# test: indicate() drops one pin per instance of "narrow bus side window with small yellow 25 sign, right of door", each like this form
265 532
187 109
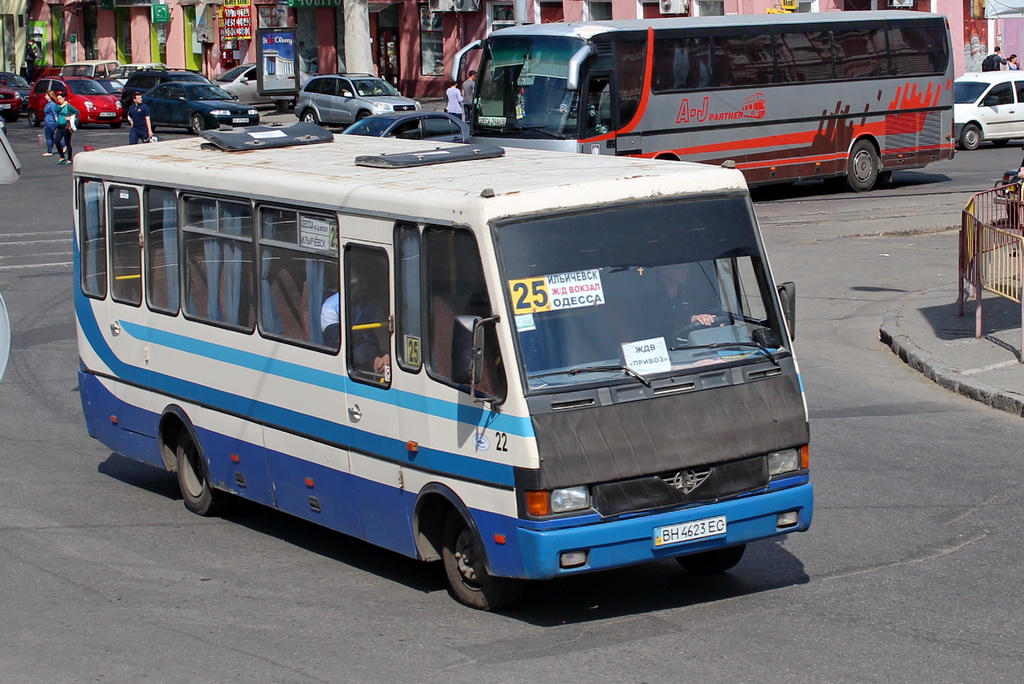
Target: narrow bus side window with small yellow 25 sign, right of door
409 338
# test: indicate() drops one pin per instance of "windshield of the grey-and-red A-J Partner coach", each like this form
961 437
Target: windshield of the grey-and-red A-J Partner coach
523 88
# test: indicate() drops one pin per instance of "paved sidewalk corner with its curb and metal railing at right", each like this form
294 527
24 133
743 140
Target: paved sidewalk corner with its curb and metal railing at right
967 336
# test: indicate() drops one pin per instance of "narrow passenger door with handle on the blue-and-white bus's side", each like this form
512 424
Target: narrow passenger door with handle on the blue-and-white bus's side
367 324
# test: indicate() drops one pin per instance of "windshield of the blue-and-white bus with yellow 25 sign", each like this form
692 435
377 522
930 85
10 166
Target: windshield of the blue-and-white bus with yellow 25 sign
660 289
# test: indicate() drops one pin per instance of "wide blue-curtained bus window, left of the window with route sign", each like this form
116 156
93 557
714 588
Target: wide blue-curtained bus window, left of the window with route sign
219 252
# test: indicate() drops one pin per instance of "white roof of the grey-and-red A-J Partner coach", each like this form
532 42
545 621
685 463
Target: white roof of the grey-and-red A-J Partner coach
590 29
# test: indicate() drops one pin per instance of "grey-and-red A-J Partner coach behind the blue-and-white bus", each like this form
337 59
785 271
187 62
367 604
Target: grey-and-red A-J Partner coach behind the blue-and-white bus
845 96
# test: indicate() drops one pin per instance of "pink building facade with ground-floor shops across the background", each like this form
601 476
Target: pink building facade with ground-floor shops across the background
412 41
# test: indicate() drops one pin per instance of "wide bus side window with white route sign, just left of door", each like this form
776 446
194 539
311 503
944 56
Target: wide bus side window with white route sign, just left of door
298 271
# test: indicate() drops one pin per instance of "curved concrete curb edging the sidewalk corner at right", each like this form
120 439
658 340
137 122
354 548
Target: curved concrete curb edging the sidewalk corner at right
897 338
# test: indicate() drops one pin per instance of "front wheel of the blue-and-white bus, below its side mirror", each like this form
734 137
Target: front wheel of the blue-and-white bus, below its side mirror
464 565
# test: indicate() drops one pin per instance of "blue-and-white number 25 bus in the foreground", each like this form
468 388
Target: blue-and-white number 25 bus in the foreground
525 365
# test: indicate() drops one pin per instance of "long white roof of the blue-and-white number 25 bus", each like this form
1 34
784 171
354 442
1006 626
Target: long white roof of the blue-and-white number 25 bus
523 182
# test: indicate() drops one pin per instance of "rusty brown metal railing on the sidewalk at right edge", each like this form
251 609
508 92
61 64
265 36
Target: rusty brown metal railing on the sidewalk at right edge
992 249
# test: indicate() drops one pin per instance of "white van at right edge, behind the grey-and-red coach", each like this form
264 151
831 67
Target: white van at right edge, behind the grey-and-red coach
989 106
